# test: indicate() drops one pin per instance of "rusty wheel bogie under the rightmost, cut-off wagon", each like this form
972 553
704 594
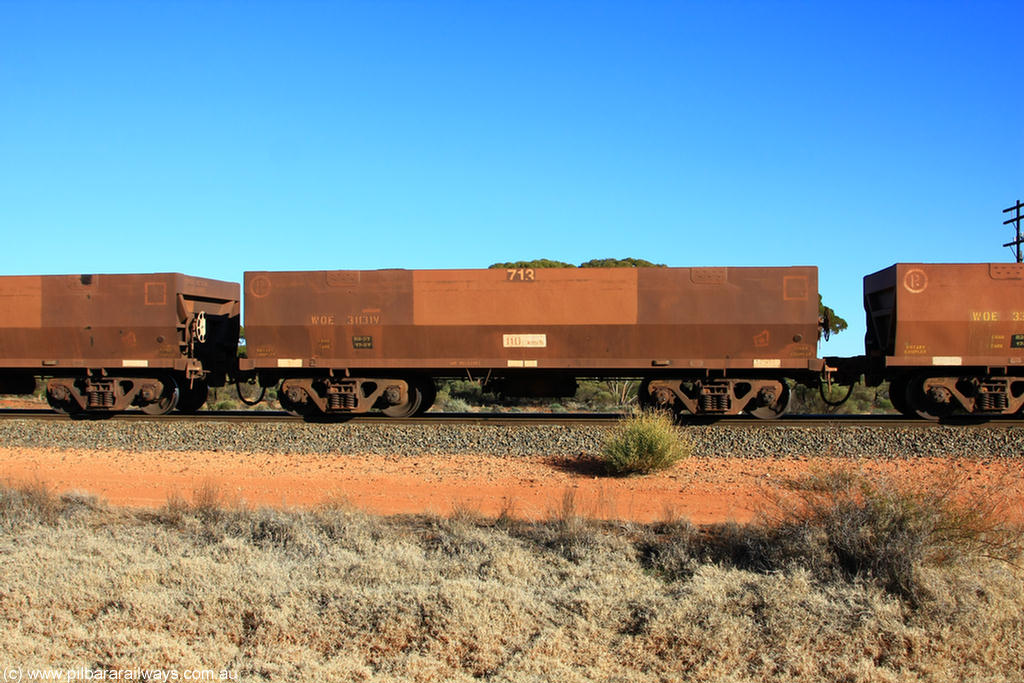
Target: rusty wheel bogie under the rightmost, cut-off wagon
938 397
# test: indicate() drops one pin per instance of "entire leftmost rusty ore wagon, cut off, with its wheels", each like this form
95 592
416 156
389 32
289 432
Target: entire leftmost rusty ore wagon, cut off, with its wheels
109 343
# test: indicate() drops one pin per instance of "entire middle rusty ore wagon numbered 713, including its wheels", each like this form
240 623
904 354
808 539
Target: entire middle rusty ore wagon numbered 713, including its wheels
709 341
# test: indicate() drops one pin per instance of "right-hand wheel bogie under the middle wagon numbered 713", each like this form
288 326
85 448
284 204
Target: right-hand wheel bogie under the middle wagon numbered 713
764 399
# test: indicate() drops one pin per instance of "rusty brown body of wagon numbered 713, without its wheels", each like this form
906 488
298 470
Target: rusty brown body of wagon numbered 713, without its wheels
659 320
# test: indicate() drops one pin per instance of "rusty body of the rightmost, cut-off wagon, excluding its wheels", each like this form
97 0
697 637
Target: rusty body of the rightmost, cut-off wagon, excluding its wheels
947 315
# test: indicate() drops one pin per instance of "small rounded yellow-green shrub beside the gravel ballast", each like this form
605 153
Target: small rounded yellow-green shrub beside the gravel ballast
645 443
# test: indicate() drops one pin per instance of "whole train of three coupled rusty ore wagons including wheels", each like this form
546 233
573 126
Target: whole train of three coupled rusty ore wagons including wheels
707 341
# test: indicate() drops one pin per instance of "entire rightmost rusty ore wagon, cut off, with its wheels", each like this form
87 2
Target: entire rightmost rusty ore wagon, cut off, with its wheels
948 336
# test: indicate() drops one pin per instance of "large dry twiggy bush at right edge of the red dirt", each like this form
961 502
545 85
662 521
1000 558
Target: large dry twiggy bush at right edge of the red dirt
888 531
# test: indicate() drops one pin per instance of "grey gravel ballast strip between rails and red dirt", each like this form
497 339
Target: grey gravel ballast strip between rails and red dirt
842 441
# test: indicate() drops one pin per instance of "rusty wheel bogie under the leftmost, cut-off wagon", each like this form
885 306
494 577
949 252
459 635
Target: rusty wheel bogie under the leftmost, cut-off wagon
103 394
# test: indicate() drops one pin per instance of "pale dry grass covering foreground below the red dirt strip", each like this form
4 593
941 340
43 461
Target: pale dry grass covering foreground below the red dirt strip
338 595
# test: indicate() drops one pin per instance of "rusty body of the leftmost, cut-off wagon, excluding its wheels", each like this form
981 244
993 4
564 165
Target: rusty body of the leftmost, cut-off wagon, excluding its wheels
56 323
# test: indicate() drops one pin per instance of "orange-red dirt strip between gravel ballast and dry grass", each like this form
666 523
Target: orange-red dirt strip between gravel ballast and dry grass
703 490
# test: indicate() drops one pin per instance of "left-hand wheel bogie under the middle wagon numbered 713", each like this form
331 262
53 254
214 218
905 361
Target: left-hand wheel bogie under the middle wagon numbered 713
330 396
